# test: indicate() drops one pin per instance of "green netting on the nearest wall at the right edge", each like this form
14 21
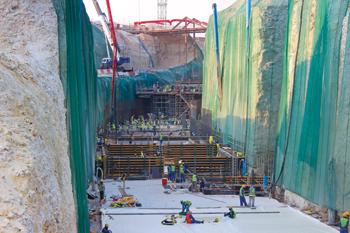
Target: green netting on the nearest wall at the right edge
316 163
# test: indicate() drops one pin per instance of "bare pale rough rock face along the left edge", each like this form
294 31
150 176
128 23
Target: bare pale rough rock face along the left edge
35 178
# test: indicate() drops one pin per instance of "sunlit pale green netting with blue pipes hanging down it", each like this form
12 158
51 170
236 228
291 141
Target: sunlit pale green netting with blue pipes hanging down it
262 90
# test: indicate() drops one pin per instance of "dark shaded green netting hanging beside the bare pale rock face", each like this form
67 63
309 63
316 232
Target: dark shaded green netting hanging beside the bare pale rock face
79 79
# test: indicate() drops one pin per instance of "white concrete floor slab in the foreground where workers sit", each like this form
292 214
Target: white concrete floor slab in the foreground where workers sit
154 201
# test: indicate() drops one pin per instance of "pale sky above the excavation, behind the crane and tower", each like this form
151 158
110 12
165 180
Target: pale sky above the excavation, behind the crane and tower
130 11
